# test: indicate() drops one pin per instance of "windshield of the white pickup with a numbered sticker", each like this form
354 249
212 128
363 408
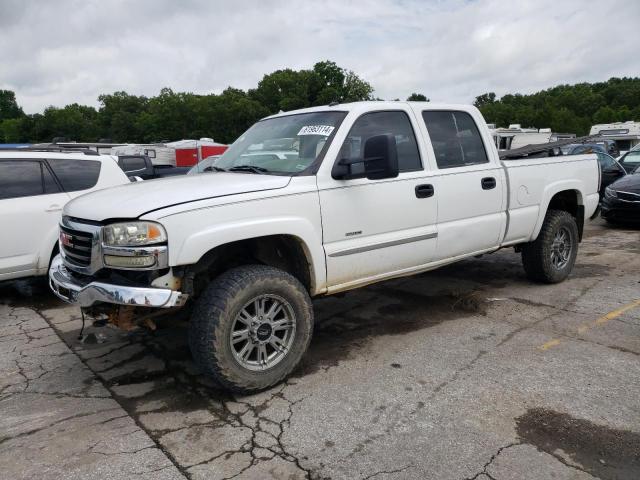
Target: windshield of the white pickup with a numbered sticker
282 145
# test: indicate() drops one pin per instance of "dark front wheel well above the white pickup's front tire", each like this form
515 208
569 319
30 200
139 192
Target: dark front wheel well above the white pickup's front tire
285 252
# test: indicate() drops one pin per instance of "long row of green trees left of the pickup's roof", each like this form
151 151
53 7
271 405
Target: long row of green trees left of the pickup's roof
176 115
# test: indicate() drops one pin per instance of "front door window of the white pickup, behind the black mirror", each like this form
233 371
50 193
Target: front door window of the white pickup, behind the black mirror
379 123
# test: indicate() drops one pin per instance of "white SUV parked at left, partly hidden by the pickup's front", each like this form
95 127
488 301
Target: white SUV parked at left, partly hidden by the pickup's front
34 187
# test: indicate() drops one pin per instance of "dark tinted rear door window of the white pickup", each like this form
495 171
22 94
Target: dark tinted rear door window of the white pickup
455 138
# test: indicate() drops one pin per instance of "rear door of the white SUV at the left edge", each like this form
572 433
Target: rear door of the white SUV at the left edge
30 205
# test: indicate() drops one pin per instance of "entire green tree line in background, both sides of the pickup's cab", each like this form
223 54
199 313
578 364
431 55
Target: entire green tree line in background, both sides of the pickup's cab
174 115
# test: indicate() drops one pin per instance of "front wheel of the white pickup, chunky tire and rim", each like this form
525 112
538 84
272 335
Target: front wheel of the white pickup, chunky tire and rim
250 327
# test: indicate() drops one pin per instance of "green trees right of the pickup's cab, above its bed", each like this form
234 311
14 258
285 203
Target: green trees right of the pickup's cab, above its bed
566 108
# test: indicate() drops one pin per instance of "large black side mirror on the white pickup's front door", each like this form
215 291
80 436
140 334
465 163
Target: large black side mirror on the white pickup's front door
380 160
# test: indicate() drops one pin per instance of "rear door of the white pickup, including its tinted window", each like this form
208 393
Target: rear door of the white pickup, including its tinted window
470 184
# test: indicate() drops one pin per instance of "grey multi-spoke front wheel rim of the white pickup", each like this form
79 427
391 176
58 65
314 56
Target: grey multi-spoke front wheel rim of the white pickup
263 332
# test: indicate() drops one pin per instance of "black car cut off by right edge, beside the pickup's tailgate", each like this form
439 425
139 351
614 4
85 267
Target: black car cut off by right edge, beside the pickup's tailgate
622 200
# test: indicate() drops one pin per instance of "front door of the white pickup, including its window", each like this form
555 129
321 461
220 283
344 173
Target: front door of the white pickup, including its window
373 228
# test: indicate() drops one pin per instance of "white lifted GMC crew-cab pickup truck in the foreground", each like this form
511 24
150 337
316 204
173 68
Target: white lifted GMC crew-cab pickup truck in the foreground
310 203
